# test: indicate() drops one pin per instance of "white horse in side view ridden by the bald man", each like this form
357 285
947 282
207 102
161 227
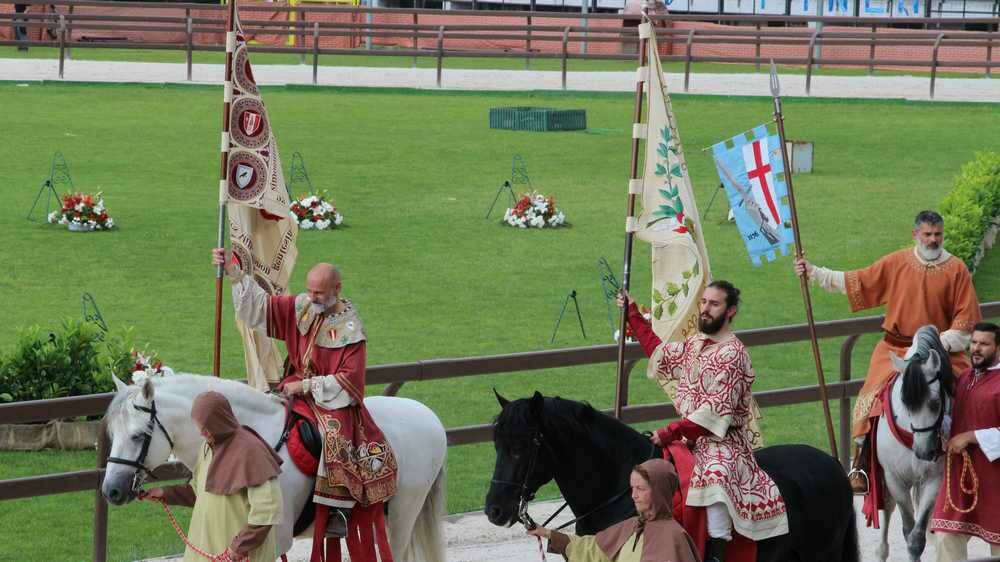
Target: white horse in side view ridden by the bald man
150 421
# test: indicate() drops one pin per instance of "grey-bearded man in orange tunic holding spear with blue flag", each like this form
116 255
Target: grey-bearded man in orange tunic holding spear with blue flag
918 286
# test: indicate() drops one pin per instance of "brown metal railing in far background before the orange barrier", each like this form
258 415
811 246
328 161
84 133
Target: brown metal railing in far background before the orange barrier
799 46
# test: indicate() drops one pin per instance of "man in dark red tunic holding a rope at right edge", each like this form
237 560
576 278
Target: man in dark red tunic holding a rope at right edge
975 430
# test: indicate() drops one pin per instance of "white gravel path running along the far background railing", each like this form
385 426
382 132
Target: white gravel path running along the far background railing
879 87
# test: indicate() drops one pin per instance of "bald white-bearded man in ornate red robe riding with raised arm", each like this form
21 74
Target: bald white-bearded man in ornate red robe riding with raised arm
326 357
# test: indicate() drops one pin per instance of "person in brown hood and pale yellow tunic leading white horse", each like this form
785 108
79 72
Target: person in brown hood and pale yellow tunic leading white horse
234 487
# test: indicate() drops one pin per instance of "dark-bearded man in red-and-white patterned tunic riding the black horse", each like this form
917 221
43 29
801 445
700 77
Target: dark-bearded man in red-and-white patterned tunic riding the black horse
713 376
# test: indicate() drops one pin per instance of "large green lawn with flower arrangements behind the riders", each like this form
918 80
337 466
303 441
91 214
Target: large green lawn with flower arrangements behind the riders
413 172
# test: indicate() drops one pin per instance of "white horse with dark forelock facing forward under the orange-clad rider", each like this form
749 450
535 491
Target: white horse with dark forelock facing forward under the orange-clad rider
921 403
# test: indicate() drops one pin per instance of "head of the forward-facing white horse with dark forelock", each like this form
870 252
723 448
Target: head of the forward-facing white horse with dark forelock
928 385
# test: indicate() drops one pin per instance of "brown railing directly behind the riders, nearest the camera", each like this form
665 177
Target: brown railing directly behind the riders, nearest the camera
395 375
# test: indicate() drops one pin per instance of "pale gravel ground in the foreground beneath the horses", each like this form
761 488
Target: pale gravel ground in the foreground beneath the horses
471 538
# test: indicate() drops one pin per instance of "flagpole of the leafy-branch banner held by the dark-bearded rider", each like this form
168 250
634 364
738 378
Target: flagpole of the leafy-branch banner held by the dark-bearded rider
621 389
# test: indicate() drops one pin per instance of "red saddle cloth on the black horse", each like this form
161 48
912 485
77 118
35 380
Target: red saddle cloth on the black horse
693 518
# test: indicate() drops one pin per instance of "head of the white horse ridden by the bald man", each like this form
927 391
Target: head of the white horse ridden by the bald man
139 441
